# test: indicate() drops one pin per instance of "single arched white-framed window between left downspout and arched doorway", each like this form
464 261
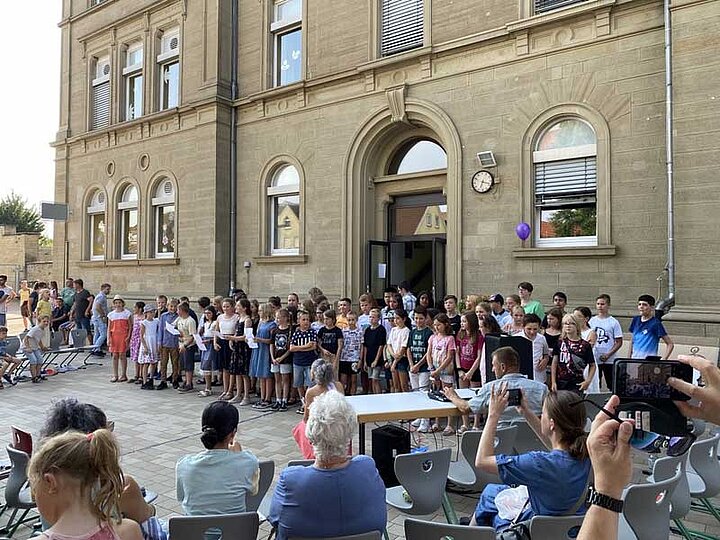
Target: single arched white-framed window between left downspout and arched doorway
284 210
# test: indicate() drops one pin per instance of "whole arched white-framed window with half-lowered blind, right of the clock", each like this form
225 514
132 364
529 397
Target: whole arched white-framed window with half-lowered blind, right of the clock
565 184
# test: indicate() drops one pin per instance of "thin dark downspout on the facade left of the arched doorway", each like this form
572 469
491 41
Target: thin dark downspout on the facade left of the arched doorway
233 148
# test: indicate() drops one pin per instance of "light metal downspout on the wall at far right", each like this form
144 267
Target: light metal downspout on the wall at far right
668 302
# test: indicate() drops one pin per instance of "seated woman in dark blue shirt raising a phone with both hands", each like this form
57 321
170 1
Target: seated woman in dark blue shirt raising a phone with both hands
556 480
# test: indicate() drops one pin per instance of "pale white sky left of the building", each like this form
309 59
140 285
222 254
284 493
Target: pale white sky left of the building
30 98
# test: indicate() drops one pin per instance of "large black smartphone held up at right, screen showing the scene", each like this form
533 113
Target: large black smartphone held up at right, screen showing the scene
647 379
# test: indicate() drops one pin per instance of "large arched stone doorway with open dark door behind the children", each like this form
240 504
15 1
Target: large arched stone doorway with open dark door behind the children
377 188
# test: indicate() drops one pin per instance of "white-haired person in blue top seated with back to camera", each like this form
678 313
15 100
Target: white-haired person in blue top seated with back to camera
337 495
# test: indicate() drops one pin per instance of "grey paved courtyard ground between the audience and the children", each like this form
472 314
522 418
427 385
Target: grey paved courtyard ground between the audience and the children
155 428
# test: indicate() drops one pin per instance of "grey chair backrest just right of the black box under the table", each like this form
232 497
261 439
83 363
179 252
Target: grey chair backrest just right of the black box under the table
424 475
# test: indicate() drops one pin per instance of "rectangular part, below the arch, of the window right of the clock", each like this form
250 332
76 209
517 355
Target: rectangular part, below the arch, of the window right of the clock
566 202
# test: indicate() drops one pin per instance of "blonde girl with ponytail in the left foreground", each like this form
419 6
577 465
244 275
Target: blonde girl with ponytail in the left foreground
76 483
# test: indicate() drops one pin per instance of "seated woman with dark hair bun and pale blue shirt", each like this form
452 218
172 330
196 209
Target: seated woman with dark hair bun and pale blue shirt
216 480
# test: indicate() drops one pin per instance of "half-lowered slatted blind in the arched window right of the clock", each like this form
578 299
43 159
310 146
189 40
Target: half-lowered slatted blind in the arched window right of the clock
566 181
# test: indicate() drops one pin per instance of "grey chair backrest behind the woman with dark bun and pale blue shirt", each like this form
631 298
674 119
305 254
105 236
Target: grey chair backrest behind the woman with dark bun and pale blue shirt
232 526
